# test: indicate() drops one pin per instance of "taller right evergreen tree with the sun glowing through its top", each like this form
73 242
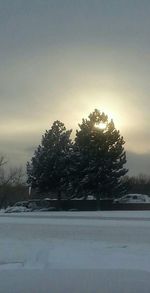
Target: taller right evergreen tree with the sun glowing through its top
102 156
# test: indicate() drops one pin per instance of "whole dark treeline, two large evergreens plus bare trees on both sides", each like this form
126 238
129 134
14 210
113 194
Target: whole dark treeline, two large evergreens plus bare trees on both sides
94 163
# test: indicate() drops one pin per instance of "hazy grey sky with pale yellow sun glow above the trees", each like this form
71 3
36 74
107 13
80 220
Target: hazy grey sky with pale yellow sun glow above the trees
61 59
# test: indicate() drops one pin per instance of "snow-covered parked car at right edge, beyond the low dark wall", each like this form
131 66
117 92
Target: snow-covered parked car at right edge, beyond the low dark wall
133 198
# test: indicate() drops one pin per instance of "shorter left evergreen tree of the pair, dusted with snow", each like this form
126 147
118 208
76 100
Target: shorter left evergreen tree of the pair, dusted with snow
47 170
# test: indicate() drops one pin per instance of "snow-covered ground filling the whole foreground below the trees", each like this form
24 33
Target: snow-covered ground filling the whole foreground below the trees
60 252
